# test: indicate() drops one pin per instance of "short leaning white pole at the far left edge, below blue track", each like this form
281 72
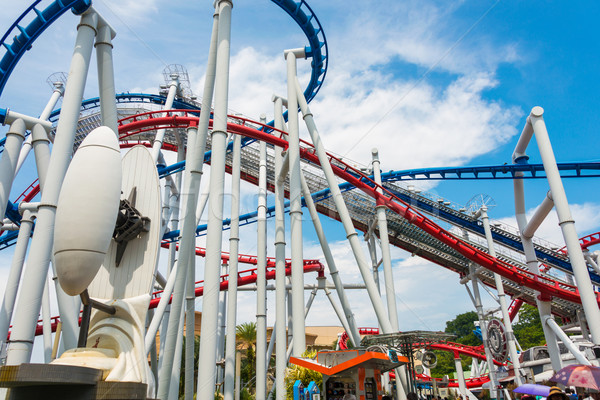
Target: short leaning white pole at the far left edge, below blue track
8 162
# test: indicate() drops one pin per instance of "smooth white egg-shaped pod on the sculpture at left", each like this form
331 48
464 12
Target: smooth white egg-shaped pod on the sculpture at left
89 196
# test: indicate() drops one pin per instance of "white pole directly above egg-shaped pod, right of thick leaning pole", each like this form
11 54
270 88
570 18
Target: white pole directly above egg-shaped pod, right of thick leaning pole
106 76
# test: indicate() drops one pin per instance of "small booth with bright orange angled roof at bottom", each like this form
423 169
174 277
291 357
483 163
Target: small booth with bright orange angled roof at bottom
354 372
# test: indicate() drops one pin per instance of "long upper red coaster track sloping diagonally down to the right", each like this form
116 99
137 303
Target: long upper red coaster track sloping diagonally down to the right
547 286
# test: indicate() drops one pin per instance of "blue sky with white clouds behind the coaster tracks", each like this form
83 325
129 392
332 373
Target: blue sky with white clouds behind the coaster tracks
428 83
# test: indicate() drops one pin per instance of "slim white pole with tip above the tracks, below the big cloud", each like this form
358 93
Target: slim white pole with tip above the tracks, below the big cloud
390 292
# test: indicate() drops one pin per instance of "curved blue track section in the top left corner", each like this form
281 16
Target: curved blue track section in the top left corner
24 37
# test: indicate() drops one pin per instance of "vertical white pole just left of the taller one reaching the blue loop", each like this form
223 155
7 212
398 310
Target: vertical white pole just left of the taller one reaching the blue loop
281 292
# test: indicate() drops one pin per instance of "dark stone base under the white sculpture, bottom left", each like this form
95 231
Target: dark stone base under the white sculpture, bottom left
49 381
